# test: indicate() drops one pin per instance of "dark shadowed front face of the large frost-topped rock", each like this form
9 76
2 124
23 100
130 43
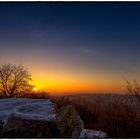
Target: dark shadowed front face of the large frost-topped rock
38 129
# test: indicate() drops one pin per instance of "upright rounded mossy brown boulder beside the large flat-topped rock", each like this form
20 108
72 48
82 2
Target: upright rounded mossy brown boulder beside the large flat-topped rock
69 123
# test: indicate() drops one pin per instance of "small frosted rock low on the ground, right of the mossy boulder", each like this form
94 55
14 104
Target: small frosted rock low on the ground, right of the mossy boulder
87 133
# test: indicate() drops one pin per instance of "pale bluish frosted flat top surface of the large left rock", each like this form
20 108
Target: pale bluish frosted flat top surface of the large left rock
27 108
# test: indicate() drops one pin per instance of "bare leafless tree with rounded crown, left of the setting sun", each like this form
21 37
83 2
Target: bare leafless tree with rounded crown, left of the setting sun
14 80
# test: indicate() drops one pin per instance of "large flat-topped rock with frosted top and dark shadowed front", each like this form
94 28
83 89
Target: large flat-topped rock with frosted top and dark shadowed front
32 120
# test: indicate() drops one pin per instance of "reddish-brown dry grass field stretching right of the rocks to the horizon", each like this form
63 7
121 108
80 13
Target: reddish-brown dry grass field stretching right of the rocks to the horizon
118 115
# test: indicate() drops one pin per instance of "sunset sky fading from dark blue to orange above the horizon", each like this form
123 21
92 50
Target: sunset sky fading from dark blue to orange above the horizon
73 47
